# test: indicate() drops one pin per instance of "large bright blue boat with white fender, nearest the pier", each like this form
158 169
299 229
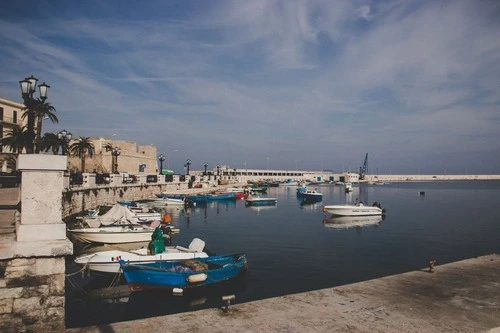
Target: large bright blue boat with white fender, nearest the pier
184 273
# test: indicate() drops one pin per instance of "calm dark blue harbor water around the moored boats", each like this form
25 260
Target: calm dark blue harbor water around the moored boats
293 248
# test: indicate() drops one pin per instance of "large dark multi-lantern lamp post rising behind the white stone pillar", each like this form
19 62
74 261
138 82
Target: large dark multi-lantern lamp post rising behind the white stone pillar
28 87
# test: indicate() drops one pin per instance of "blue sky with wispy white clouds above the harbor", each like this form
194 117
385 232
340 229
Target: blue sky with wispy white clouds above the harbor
290 85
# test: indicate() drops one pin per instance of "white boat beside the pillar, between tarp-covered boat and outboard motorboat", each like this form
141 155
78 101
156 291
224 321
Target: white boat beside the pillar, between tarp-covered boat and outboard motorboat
113 234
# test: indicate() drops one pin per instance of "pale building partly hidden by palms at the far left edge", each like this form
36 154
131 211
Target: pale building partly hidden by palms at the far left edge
10 117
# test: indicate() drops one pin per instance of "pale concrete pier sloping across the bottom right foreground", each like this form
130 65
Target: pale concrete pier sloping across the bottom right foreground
458 297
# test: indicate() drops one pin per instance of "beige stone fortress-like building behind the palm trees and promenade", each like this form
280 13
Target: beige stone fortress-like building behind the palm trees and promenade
133 158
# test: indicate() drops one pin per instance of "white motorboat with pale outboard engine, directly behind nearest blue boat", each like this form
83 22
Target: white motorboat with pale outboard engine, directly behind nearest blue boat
107 261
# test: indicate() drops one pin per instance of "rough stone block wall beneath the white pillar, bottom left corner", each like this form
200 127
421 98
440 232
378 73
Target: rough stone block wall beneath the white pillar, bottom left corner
32 295
